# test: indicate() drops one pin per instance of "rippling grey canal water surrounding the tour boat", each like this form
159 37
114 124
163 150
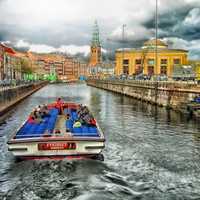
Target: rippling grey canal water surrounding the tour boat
150 153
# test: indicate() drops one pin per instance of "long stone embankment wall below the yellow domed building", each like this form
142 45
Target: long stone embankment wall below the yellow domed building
169 94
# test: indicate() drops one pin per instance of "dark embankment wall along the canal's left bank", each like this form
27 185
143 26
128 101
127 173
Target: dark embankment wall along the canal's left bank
9 97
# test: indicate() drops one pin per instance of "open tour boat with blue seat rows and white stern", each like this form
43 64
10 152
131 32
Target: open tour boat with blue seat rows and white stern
56 137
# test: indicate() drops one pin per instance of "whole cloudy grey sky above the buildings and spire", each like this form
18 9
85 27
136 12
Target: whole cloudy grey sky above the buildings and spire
66 25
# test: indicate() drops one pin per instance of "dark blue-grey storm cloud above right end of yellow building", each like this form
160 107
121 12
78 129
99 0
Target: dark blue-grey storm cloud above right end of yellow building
175 26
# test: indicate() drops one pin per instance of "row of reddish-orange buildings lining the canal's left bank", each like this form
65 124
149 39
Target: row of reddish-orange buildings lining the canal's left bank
16 65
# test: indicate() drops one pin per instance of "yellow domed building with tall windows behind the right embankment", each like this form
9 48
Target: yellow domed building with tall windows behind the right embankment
143 60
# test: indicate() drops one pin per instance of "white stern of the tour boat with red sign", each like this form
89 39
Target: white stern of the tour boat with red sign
32 148
